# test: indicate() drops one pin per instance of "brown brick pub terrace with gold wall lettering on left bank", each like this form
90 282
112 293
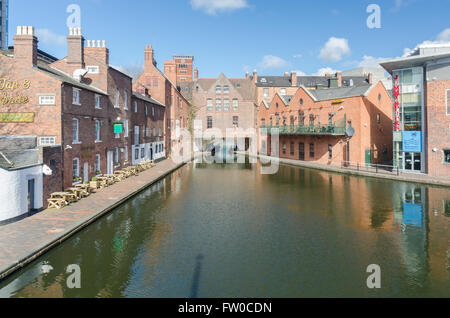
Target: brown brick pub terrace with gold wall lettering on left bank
80 109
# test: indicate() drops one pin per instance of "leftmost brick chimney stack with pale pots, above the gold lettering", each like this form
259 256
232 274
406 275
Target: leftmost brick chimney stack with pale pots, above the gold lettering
25 46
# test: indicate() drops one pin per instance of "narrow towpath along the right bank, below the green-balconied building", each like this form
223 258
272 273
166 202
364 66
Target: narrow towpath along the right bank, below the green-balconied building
406 177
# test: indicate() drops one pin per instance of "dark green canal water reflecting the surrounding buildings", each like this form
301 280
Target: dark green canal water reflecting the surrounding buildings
226 230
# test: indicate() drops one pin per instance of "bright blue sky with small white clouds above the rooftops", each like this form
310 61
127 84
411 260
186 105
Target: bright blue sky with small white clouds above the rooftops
235 36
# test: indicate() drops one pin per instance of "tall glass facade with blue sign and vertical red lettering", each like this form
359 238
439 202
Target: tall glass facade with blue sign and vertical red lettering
409 154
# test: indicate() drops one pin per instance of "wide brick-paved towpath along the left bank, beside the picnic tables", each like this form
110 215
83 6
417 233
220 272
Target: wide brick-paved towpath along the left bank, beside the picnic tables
24 241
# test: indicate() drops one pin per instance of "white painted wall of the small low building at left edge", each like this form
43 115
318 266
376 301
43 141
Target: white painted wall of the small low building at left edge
14 191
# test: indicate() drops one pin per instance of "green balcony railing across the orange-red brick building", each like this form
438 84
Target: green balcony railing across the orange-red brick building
330 130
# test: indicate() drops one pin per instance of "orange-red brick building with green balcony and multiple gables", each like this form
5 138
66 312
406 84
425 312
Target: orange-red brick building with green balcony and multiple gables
330 126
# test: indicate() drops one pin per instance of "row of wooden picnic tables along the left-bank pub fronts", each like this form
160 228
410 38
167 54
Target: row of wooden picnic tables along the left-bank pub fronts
59 200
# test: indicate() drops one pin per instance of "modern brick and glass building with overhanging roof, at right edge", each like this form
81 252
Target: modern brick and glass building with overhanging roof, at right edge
421 110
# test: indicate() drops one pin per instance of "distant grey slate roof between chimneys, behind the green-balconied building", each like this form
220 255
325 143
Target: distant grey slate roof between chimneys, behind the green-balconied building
307 81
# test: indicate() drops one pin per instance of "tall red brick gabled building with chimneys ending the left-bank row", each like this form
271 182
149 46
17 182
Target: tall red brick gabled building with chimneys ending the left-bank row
163 88
